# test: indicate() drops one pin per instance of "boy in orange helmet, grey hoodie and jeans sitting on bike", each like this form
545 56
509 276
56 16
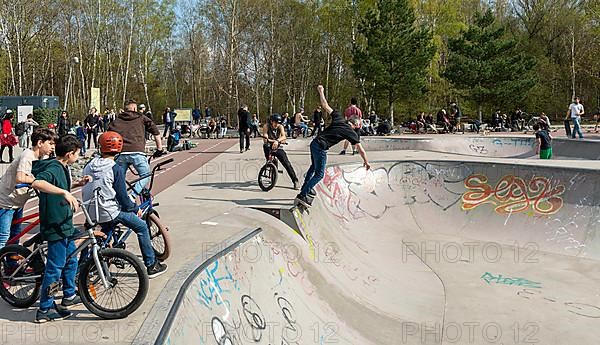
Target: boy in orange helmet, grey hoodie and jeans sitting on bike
114 205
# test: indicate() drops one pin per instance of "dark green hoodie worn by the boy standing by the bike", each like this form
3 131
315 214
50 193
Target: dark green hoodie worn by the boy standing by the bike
56 216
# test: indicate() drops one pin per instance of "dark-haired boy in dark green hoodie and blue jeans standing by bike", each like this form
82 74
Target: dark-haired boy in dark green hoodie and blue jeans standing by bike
53 181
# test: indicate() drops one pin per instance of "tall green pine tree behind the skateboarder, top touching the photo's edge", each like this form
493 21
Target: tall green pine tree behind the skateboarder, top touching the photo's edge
391 54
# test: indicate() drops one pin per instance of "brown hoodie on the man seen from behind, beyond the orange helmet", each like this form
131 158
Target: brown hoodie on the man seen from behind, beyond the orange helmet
133 127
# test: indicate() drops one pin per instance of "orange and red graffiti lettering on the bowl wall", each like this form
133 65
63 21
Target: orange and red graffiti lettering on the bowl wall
513 195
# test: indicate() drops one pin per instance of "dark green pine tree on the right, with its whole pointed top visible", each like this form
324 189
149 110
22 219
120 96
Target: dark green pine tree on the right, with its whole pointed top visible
488 66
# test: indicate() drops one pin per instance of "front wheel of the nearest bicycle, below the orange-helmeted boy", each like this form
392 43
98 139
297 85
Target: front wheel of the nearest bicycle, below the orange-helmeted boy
128 284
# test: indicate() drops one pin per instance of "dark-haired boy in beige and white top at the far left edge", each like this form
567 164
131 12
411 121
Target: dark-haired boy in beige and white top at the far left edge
12 200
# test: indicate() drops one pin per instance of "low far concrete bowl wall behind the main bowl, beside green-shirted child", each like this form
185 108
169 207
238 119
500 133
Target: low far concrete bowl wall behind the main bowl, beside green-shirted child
488 146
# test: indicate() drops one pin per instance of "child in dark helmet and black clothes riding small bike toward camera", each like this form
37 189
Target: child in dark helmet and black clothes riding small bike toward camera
273 137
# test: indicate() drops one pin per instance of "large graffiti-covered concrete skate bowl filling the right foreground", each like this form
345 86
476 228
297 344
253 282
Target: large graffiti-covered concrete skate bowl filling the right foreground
410 252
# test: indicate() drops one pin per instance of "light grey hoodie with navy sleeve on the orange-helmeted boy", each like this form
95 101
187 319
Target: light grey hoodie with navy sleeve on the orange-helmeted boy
110 178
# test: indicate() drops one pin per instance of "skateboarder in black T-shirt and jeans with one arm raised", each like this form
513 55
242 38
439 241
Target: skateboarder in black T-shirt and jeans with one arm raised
338 130
